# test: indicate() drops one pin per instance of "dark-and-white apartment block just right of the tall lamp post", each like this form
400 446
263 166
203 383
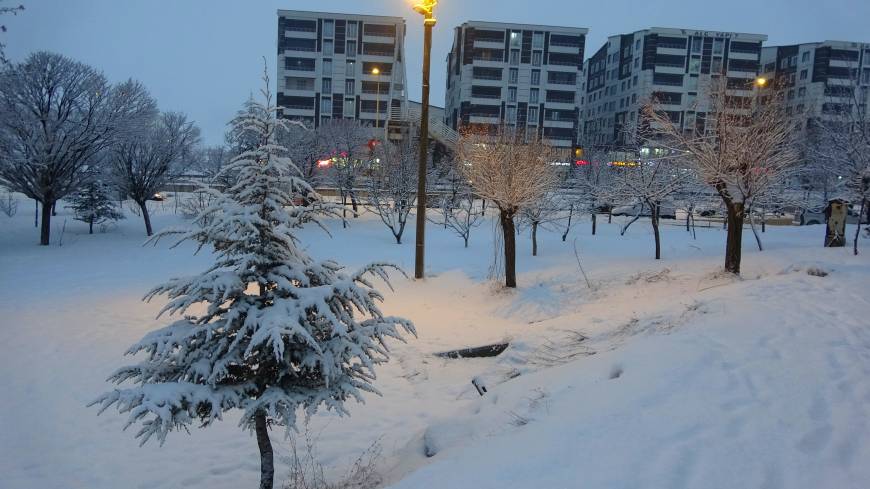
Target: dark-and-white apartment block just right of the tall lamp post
523 75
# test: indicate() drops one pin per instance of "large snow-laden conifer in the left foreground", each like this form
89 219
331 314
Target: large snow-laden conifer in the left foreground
279 332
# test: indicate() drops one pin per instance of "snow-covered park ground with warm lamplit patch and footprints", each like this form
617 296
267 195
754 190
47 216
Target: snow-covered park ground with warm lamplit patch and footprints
663 375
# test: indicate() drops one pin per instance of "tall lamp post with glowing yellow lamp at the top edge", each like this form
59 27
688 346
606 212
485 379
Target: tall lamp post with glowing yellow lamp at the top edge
425 8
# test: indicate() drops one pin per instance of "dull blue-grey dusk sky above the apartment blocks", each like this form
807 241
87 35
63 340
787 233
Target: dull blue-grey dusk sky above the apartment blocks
204 57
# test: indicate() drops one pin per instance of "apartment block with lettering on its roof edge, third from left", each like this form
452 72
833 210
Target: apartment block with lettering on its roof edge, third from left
669 65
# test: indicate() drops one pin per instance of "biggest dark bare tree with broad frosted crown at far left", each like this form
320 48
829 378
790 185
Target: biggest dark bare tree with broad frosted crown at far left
56 114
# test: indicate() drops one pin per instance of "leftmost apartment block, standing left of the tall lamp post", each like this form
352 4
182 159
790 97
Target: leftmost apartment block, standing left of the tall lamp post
341 65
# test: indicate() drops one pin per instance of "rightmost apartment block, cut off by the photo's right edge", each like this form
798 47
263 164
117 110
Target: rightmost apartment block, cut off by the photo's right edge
822 80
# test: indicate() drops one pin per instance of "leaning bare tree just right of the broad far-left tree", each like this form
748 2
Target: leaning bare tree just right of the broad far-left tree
142 162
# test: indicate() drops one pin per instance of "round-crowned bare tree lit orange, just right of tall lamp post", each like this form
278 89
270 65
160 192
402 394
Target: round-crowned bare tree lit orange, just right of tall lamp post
510 172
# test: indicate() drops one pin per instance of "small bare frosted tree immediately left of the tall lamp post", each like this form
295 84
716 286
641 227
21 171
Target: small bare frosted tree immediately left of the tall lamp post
392 184
